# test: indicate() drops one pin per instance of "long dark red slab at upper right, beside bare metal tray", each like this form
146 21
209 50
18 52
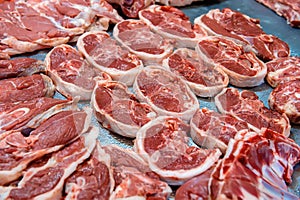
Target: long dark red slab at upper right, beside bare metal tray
245 30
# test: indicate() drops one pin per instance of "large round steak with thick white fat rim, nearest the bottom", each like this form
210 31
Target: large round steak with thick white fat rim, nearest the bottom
163 144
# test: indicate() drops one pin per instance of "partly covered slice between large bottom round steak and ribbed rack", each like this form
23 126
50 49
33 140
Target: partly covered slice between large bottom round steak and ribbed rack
213 130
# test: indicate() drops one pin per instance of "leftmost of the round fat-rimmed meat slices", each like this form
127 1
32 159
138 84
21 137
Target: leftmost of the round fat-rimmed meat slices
71 73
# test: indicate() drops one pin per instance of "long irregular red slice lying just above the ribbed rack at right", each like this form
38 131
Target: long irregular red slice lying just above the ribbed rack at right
246 106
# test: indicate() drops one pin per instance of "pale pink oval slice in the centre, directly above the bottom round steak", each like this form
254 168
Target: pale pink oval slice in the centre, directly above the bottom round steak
165 92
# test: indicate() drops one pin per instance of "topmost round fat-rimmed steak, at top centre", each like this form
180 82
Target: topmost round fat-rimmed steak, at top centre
172 23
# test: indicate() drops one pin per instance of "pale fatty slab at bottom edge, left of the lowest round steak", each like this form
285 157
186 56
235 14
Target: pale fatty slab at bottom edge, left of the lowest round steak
134 179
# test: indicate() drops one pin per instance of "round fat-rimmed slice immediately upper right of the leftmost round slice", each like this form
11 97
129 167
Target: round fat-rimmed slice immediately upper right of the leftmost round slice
104 53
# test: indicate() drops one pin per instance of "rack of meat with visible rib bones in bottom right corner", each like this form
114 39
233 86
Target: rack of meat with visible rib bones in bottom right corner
248 172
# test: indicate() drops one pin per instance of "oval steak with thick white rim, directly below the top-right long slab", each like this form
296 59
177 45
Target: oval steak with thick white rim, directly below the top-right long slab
243 68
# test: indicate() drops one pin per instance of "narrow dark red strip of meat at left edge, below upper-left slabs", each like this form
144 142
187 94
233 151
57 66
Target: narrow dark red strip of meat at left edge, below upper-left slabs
20 67
